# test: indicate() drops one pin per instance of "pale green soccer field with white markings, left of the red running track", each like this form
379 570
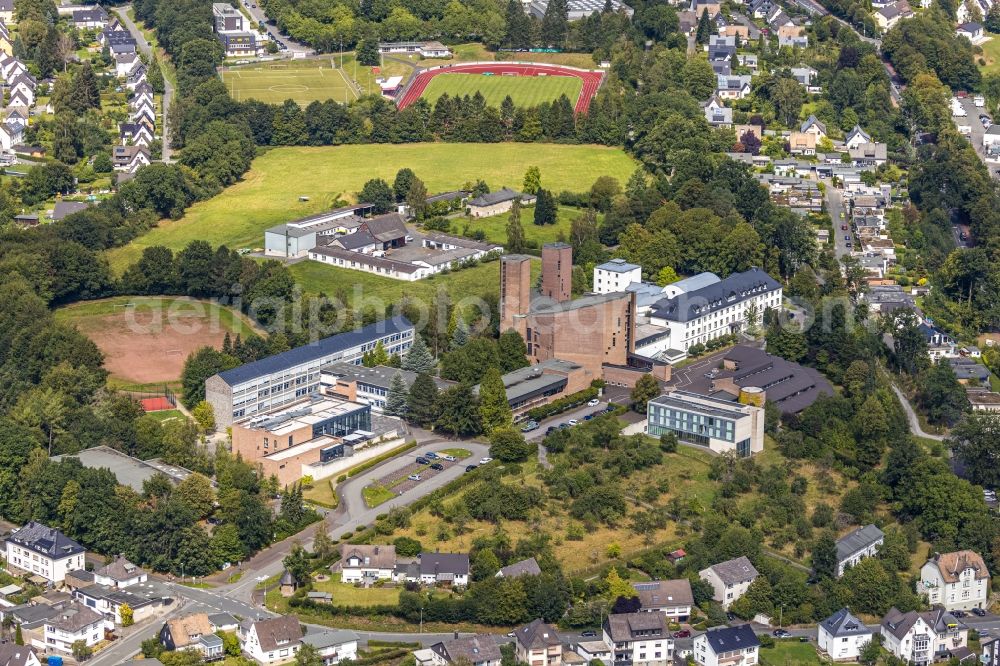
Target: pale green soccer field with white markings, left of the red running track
303 81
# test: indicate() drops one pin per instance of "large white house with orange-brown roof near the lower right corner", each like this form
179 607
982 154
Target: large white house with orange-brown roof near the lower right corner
955 581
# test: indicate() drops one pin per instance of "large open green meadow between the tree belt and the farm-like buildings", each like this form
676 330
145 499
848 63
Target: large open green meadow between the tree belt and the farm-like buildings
269 193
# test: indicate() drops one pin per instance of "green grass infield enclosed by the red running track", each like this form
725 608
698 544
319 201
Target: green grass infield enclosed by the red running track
524 90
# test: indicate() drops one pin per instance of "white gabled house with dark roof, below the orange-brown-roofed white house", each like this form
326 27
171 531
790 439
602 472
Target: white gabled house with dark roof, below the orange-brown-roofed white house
922 638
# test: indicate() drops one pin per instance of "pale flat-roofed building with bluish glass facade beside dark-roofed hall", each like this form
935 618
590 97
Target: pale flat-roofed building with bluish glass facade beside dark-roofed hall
715 423
